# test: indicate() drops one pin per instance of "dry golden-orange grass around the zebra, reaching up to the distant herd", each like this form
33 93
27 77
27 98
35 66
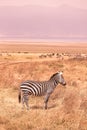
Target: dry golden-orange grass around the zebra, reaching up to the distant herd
67 107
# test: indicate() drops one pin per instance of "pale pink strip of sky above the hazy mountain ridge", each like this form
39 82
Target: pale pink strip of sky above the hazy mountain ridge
76 3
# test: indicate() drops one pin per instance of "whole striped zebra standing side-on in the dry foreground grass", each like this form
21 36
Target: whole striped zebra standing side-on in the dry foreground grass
40 88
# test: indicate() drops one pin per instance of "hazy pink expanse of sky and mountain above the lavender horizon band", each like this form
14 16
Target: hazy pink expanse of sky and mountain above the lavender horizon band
43 18
